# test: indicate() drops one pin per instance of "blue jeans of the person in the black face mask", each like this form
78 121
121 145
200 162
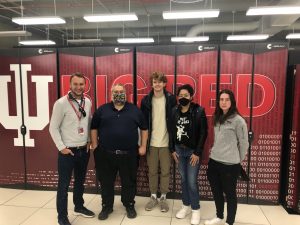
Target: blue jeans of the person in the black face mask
189 176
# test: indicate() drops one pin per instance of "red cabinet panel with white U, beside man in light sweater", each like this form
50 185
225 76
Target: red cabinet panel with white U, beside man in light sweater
39 84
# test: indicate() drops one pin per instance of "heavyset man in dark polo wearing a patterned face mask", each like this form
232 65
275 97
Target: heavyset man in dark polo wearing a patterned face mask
114 140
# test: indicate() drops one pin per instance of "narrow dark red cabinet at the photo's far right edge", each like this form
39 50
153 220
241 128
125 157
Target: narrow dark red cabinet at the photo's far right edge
291 187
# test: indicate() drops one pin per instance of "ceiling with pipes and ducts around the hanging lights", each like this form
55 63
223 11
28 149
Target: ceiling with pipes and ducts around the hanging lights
160 29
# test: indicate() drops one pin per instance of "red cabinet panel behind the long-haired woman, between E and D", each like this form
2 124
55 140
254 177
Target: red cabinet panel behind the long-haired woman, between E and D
235 74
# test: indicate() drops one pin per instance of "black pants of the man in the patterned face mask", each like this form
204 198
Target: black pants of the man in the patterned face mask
107 167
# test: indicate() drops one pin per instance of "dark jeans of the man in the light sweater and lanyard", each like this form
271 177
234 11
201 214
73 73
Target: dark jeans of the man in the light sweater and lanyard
66 164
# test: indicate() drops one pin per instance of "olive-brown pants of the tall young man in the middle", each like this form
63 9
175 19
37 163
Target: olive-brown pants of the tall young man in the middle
159 157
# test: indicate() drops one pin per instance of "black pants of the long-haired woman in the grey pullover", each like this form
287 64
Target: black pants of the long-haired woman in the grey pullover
223 179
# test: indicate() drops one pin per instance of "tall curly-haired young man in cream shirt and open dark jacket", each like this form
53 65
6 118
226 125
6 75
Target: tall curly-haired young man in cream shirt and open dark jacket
156 107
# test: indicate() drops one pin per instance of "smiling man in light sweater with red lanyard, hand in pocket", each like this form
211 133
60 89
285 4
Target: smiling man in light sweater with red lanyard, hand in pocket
69 129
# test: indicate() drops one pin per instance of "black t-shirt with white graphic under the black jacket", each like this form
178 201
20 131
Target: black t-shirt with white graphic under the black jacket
183 129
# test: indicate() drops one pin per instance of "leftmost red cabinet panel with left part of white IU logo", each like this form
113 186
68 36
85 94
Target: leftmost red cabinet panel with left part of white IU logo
12 161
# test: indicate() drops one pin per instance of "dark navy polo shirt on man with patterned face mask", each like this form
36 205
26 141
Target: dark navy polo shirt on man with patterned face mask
118 130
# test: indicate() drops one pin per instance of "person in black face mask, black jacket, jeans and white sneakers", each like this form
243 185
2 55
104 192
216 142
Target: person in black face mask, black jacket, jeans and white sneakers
188 136
